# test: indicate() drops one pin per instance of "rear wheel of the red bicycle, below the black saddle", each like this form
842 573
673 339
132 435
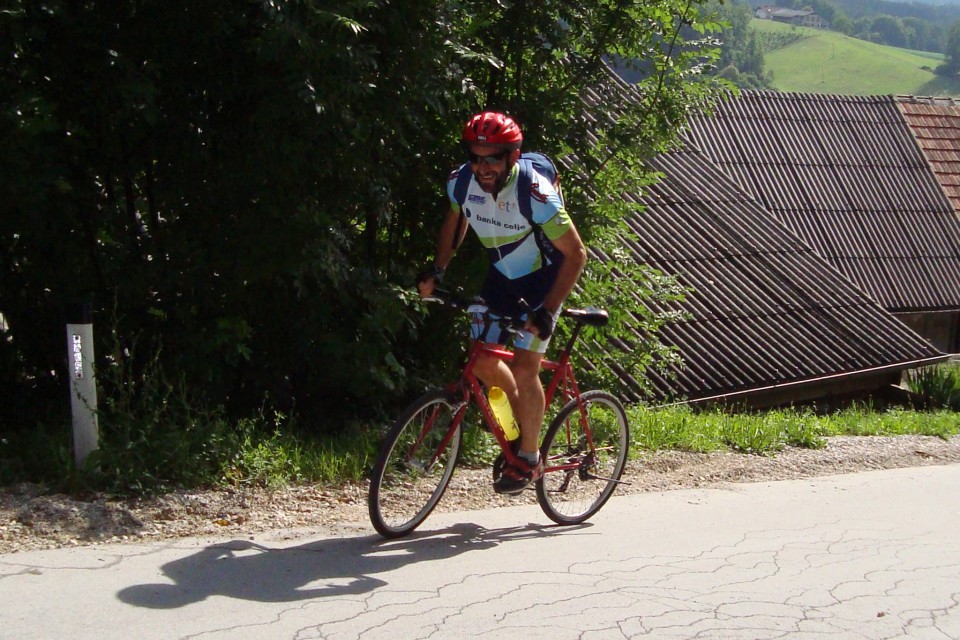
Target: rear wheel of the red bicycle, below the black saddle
584 454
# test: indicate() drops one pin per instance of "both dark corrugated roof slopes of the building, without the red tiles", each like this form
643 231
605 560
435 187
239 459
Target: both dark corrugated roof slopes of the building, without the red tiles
799 223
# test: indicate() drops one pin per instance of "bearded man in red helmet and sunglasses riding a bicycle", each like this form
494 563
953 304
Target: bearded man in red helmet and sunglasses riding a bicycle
538 262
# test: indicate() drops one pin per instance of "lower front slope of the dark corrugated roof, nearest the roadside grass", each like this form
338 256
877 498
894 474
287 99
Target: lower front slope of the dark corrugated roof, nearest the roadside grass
765 308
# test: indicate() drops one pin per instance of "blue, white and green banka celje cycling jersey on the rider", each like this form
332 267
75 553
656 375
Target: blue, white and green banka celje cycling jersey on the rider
507 235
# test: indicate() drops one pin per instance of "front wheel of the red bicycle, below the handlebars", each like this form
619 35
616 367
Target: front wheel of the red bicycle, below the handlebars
415 464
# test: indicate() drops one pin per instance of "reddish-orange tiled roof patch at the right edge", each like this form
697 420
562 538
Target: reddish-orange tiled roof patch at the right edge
935 123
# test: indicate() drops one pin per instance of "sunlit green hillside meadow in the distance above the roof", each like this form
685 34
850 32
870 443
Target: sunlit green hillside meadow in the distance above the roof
827 62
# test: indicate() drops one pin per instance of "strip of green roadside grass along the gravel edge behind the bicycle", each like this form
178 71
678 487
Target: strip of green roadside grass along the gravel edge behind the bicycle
202 449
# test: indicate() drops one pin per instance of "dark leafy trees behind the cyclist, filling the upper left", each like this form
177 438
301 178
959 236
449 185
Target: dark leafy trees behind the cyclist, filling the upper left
252 185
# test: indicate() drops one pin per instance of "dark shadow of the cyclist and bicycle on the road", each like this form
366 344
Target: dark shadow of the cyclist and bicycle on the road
247 570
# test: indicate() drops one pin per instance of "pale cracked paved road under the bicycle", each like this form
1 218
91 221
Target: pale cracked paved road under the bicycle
870 555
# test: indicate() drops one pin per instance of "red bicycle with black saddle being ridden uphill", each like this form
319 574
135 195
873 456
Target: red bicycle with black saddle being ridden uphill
584 448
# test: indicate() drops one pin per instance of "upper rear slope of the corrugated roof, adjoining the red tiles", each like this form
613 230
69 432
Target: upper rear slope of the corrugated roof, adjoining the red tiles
846 175
